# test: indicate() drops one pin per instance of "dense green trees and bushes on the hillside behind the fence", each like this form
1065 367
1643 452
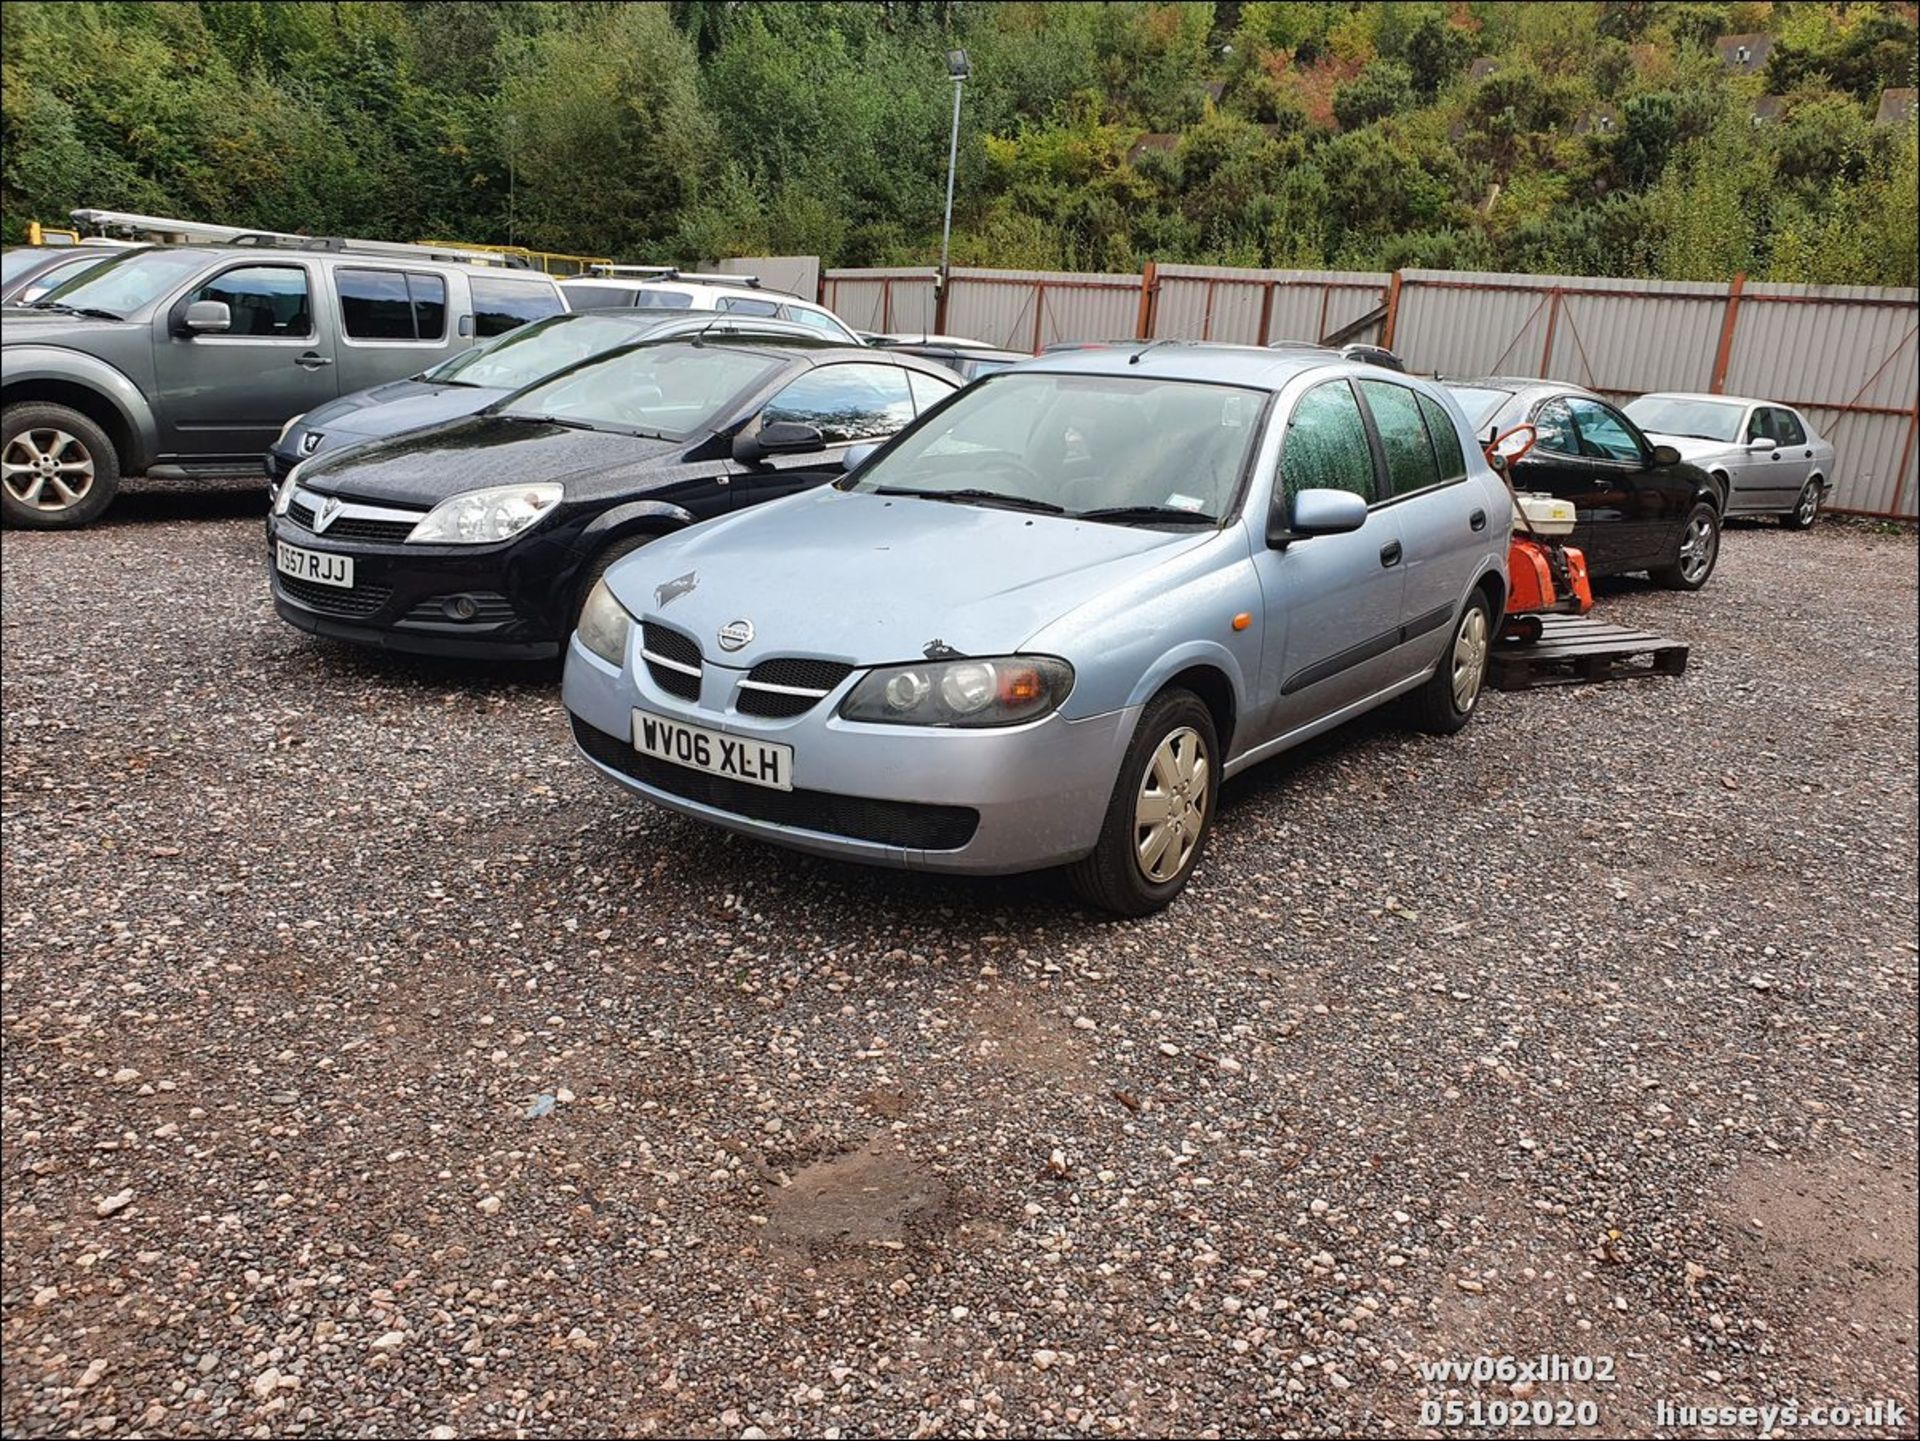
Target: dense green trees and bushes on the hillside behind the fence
1606 139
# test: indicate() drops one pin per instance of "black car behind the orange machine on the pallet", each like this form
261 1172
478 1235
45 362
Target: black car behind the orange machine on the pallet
1637 506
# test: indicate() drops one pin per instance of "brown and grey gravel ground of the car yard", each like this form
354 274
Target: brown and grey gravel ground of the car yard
375 1070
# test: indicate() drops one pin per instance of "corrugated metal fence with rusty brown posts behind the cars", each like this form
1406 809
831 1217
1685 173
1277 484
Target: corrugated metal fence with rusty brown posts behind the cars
1842 354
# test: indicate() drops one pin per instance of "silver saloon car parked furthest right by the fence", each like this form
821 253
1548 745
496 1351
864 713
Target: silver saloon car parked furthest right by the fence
1767 460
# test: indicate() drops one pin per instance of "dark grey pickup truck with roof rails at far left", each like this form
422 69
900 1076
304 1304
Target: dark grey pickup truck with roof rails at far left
191 360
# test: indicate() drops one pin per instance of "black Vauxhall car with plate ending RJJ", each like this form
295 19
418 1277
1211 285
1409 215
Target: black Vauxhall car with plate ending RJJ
483 536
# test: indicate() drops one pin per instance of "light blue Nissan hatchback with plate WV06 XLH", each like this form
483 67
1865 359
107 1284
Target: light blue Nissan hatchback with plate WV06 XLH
1047 621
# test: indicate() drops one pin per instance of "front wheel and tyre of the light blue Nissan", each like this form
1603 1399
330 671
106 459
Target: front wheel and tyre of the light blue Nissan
1161 815
